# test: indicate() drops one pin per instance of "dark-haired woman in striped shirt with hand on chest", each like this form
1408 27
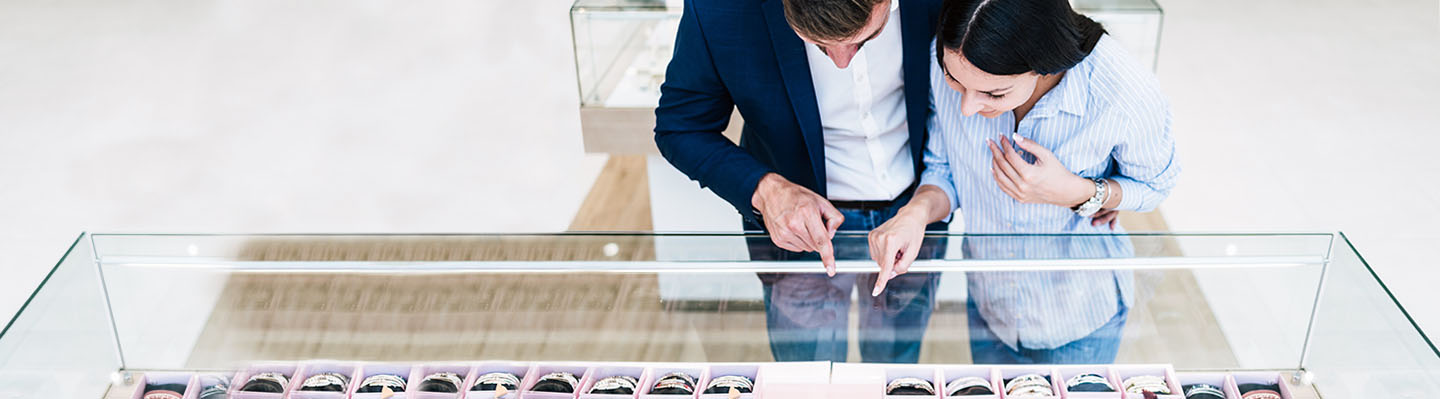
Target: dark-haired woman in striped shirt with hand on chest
1042 125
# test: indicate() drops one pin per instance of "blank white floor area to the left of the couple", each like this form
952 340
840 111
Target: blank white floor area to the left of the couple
244 116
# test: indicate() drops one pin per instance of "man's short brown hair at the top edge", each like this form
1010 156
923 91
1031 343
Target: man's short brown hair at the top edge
829 19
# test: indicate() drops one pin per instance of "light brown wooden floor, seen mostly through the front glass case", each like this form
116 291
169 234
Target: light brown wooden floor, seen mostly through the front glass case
562 318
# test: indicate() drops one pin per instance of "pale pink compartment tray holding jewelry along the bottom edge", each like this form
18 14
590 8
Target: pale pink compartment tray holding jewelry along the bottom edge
774 381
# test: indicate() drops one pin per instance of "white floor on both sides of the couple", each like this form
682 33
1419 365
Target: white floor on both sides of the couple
230 116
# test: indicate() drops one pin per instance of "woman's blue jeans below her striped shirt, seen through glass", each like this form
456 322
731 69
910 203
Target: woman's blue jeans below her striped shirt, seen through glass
1098 348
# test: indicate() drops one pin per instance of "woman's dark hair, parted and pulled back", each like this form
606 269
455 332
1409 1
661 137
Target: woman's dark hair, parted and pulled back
1016 37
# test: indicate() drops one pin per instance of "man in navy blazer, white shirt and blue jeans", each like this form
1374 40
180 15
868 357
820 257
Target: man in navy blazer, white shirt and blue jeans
836 99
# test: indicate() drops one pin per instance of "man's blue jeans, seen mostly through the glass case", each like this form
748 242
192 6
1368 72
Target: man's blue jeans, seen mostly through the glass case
807 315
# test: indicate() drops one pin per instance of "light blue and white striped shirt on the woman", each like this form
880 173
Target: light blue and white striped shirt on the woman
1105 119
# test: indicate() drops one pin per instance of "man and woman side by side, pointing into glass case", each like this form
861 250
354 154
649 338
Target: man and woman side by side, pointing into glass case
888 116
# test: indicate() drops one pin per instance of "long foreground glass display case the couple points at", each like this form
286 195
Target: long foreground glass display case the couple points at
122 313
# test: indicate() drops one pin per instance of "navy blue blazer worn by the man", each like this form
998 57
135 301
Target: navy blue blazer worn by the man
744 54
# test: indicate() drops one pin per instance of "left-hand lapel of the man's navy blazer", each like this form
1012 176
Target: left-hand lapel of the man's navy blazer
790 54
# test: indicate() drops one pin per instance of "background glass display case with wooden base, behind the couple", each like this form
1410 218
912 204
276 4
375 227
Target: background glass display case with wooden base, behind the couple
623 48
